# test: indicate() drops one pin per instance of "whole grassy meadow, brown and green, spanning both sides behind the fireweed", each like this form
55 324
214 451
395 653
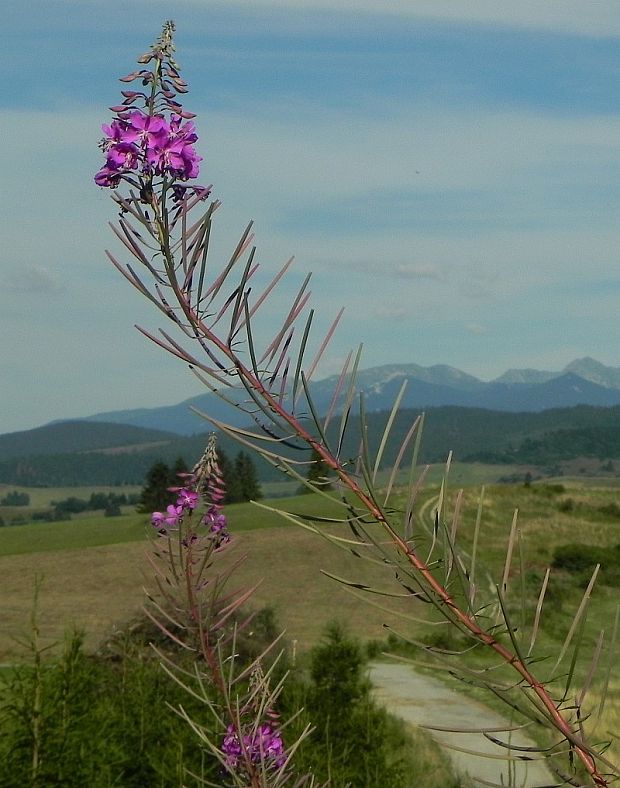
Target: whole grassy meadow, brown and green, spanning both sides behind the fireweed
94 569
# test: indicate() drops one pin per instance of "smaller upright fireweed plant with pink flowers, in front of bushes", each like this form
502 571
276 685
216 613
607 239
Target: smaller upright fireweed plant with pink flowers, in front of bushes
194 609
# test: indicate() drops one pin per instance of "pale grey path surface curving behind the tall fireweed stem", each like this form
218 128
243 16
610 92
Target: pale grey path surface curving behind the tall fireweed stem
422 700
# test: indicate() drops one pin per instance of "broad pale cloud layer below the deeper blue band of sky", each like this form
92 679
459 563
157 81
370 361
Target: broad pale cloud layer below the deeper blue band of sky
431 275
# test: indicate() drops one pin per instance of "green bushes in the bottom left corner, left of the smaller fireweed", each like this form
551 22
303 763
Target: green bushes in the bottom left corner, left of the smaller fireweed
94 721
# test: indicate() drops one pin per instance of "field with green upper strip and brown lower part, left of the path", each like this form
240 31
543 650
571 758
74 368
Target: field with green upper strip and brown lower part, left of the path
94 573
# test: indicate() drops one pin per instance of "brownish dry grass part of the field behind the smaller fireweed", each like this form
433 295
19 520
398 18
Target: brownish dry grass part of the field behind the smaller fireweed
97 588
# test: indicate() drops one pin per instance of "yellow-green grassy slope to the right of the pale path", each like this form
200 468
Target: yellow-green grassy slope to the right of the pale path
550 514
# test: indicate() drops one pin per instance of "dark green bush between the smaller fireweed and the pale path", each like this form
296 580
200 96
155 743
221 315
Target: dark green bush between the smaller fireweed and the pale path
355 742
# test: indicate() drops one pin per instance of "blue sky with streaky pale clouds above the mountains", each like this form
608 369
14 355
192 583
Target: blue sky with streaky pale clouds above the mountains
448 169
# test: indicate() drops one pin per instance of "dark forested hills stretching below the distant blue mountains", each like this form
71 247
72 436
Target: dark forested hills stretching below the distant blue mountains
82 453
